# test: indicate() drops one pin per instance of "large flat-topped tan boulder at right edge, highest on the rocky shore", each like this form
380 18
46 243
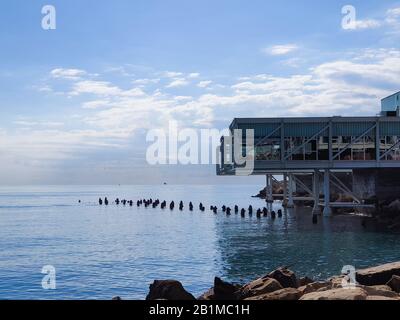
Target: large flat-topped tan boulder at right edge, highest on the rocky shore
378 275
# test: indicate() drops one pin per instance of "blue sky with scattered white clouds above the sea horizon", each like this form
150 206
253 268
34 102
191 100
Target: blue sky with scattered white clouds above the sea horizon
77 102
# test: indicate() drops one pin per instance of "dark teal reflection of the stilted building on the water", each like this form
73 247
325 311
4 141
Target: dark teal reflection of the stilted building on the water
254 247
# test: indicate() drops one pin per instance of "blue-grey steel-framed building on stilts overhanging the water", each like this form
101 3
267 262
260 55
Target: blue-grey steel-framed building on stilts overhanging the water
325 150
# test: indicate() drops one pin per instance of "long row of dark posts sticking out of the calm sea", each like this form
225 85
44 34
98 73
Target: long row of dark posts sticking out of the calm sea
227 210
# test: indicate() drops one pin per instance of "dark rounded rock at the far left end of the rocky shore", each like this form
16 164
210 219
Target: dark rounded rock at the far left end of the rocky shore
169 290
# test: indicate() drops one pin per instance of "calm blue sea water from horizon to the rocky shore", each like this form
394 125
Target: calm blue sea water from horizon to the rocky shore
100 252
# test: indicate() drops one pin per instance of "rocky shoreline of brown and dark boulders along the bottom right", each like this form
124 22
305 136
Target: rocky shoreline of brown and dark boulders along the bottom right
376 283
